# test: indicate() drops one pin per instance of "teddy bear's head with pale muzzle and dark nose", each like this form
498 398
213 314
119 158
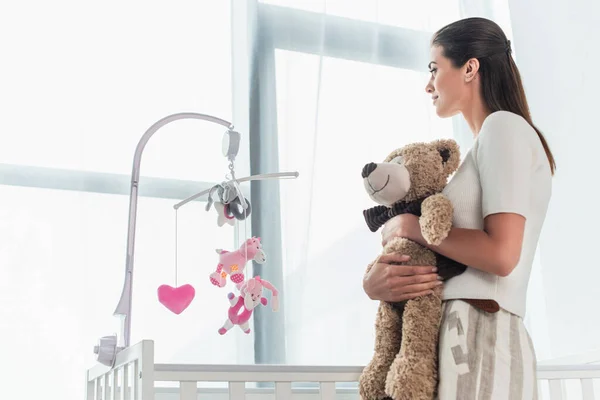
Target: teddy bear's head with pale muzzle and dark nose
412 172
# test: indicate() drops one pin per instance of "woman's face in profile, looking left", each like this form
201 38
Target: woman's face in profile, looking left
448 85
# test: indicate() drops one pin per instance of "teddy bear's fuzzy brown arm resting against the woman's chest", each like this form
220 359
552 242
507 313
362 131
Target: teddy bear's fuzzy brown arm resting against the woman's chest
436 218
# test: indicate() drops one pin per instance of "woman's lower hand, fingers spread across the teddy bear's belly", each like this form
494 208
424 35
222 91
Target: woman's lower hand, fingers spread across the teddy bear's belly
393 283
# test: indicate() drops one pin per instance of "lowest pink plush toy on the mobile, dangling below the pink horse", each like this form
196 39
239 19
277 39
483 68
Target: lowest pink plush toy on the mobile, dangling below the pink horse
251 295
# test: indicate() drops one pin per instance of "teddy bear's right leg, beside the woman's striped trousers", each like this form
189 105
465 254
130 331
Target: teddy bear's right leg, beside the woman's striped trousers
414 373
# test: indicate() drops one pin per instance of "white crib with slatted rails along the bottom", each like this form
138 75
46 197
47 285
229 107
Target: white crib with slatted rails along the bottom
135 376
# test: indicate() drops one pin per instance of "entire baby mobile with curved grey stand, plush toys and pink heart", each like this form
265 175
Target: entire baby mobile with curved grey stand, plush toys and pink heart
231 207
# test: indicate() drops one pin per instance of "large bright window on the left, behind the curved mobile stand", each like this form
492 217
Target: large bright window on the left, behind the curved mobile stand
80 85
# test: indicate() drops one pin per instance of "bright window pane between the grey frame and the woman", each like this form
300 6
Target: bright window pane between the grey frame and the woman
334 117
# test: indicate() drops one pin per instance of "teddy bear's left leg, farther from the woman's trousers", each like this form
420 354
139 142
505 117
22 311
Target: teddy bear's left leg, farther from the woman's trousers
388 331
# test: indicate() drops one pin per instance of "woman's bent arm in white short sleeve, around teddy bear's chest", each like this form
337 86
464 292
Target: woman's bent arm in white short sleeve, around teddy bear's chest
504 159
